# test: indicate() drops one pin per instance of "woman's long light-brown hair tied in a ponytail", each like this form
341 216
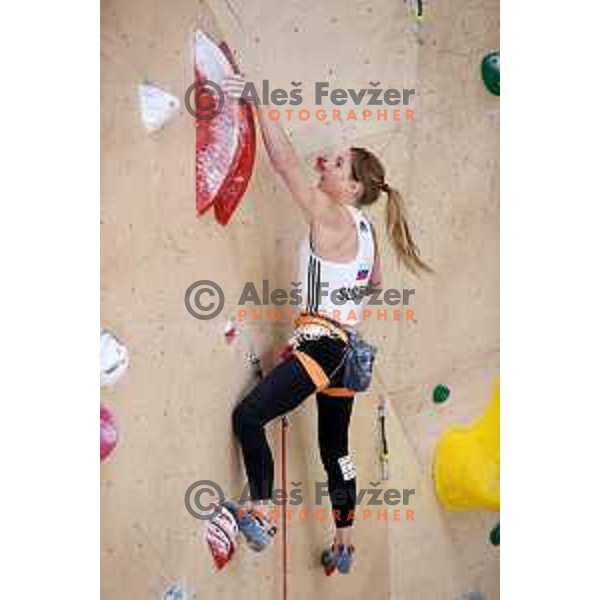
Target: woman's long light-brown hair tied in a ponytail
368 170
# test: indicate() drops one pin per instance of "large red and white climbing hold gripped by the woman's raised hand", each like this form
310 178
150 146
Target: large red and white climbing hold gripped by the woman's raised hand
225 134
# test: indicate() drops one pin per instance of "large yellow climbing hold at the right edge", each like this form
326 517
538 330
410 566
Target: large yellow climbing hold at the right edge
466 466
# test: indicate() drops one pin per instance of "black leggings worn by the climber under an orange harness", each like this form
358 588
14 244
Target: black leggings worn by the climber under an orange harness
279 392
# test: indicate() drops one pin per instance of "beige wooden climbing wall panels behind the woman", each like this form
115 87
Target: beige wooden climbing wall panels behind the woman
174 404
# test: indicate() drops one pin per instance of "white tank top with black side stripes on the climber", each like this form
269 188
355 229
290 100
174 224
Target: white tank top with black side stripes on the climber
343 285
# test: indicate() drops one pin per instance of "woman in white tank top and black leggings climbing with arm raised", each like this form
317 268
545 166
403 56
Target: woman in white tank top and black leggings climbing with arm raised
338 260
